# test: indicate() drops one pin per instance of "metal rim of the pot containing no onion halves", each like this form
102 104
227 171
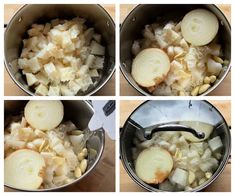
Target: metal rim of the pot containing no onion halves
28 92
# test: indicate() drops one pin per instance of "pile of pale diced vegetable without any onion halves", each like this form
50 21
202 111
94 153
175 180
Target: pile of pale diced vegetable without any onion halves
62 57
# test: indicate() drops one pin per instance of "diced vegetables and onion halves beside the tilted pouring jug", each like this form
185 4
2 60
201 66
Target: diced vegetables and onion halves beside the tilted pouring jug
40 151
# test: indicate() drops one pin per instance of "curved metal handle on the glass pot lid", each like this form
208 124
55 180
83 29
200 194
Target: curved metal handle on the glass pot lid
148 132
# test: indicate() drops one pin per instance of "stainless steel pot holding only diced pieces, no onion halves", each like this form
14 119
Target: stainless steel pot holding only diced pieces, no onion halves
96 16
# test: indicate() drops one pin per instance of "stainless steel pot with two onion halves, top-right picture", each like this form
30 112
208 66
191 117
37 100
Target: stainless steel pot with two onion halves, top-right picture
144 14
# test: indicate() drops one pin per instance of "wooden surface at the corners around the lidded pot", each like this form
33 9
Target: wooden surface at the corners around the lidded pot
221 184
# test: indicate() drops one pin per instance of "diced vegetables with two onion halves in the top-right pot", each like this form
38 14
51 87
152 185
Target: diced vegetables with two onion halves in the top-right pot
179 58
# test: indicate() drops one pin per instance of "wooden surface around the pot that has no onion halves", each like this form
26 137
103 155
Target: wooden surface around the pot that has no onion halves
11 89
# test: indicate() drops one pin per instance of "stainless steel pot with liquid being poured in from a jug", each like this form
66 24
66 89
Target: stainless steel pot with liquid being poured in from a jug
79 112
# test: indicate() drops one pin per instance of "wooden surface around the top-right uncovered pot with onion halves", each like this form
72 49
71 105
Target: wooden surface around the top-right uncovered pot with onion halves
224 89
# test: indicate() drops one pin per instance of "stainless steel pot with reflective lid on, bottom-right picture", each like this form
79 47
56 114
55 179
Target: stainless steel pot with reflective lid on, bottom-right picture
156 112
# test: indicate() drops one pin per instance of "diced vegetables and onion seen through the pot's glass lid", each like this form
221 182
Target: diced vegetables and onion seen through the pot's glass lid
177 161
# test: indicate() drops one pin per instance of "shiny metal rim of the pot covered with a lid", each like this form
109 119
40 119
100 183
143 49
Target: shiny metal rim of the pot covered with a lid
149 187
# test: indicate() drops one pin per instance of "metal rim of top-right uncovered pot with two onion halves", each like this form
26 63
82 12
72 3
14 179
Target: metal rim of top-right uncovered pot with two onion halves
139 89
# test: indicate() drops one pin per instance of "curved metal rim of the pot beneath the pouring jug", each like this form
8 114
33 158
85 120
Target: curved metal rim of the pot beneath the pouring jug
79 179
